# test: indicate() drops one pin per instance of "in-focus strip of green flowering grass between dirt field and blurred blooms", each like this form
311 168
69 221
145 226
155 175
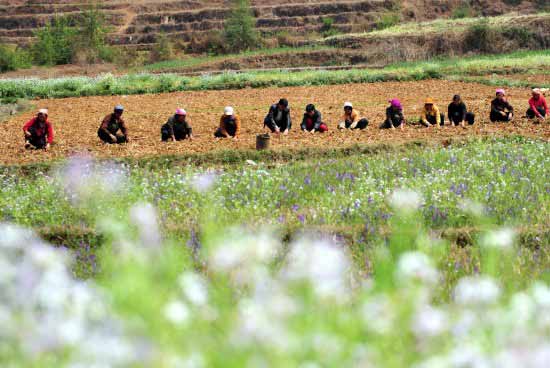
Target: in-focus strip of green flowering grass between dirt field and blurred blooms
347 190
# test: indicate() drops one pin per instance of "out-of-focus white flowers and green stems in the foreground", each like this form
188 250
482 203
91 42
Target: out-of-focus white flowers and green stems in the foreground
242 298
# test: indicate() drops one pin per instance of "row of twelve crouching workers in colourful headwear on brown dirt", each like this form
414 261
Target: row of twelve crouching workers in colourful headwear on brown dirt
113 129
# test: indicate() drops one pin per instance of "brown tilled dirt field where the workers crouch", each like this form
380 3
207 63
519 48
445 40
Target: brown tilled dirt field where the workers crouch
76 119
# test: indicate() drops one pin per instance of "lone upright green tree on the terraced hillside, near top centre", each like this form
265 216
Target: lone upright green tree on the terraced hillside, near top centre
240 29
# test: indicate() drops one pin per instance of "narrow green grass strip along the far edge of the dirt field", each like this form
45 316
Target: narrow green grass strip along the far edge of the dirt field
517 62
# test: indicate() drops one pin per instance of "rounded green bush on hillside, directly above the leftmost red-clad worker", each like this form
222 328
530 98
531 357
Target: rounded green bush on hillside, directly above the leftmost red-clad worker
55 42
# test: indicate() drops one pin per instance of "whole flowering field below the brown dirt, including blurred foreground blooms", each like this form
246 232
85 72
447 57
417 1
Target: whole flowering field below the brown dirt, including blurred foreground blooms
435 257
